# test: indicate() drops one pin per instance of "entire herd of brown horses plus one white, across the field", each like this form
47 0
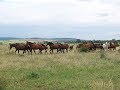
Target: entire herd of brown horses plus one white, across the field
60 48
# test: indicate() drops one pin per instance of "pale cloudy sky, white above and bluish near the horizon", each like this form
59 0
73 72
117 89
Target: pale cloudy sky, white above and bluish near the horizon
84 19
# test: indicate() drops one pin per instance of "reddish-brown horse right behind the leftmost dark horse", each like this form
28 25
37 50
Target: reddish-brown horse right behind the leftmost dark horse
34 46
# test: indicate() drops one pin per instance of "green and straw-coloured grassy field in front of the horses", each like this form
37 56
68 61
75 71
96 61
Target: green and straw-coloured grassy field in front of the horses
69 71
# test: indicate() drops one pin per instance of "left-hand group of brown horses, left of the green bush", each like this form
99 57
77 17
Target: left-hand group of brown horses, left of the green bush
30 47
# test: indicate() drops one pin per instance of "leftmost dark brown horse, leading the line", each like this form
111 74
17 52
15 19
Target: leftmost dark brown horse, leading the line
20 46
